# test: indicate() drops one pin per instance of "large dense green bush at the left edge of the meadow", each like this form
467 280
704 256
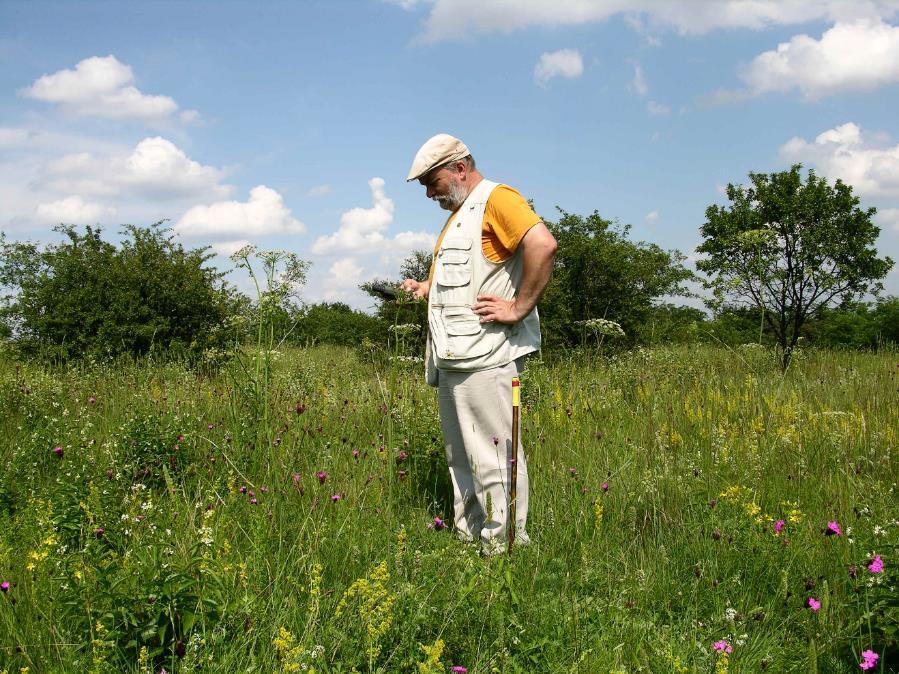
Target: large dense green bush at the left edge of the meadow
85 295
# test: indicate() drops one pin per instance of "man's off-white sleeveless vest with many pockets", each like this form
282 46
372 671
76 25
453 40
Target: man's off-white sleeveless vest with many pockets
458 340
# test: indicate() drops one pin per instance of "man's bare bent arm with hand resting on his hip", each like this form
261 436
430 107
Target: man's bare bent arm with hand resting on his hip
538 249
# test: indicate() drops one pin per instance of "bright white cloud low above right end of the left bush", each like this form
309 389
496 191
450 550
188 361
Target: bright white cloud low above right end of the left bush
263 214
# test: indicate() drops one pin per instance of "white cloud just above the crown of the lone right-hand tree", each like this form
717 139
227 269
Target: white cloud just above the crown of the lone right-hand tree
846 152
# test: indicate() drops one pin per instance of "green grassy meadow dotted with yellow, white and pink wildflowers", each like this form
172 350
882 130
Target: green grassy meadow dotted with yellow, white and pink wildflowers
693 509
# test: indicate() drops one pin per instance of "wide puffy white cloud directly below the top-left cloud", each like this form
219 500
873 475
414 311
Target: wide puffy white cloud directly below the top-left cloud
155 167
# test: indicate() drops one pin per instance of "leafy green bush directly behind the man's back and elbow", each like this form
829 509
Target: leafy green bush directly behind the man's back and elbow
600 273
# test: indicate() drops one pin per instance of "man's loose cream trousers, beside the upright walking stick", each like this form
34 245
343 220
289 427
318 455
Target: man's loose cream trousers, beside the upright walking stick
476 416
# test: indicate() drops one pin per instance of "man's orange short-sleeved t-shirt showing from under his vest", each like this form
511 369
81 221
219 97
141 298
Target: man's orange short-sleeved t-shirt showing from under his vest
507 218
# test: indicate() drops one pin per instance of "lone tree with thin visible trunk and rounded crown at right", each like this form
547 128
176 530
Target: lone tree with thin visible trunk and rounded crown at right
790 248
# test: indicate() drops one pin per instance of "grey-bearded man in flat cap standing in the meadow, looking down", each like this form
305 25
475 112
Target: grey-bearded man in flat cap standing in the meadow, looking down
491 263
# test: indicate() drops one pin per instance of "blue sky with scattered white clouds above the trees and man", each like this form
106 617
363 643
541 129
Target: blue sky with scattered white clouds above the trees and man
292 124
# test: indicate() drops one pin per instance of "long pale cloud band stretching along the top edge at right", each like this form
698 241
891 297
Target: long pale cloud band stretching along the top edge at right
459 19
